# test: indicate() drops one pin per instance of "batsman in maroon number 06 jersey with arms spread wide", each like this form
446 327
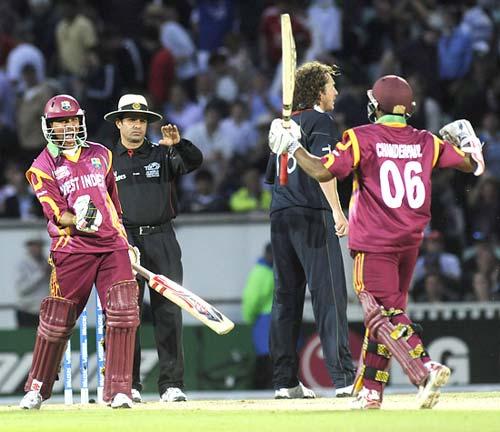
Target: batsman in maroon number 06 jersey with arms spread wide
390 207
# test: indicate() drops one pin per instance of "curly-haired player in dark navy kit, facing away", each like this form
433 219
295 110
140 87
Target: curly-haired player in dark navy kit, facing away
306 249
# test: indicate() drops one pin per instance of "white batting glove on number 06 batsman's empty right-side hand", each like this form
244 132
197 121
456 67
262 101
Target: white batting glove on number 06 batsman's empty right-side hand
461 133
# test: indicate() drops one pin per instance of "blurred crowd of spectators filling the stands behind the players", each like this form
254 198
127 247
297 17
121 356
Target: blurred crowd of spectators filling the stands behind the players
212 67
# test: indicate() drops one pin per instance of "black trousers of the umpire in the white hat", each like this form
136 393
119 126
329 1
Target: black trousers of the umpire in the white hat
160 253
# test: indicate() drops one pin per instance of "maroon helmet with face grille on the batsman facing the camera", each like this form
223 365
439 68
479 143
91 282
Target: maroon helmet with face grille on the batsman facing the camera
60 107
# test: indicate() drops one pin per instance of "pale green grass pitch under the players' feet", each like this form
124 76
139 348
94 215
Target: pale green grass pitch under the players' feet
456 412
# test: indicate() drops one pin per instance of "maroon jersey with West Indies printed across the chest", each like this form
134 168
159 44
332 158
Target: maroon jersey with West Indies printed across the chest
61 181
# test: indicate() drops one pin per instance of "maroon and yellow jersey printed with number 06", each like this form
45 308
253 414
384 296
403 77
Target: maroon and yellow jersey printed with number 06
391 198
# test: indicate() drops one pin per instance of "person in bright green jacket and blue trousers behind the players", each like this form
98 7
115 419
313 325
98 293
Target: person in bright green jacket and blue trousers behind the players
256 307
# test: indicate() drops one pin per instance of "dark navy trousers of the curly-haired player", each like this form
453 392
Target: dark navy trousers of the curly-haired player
307 251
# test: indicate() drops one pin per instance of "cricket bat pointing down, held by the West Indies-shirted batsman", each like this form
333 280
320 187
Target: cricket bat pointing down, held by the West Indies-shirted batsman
187 300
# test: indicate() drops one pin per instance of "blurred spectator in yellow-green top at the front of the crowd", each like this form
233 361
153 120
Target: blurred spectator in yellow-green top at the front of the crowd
251 196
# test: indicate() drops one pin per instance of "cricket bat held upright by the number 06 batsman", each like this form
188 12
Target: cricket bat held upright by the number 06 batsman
288 63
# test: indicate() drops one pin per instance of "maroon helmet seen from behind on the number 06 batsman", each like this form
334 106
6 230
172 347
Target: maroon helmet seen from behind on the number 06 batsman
392 95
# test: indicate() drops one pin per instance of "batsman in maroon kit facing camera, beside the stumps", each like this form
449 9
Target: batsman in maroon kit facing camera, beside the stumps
74 182
